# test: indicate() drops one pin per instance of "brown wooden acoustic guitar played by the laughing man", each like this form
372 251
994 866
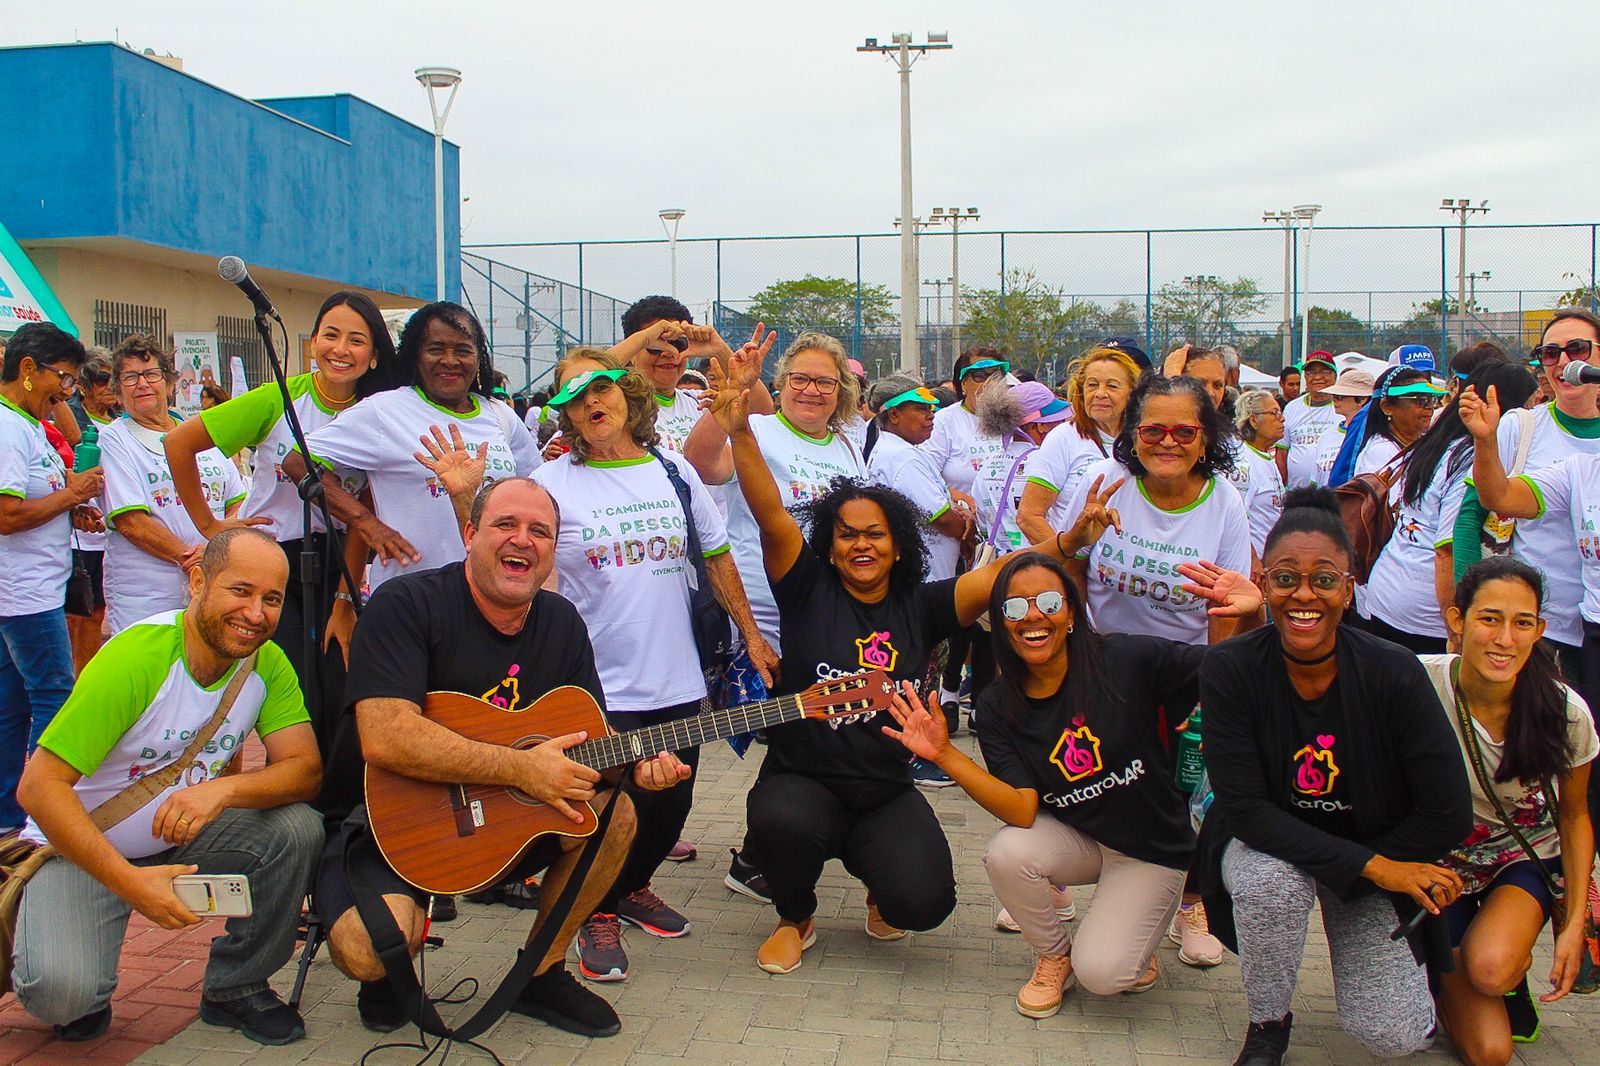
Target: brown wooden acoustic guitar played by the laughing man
449 840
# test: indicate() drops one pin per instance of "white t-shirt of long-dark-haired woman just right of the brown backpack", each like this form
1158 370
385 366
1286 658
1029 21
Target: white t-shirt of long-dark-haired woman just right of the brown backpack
1401 588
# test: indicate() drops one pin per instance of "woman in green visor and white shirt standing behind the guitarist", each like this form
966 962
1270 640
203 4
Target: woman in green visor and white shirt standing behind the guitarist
623 559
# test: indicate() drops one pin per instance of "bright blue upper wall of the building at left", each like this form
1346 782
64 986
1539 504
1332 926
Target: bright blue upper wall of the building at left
122 146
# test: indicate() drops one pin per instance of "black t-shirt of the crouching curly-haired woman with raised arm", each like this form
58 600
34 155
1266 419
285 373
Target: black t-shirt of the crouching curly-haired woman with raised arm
828 633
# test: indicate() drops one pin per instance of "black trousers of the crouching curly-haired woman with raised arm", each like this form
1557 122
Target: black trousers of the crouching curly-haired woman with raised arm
892 843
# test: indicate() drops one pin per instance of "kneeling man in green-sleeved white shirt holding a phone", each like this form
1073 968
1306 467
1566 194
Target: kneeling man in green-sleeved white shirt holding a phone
134 711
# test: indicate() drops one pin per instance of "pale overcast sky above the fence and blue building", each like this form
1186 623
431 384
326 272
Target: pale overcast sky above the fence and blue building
582 121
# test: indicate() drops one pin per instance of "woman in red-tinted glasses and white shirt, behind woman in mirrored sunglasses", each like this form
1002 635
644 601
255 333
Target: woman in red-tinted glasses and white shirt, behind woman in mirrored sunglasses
1174 505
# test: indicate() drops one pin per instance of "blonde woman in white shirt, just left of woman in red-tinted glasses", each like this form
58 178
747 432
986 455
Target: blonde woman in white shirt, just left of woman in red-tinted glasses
1098 390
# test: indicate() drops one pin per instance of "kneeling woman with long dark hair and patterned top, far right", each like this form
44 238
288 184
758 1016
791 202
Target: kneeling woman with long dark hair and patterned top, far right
1526 732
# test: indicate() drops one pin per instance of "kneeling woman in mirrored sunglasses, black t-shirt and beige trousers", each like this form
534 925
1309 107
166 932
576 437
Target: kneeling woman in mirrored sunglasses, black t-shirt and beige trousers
1074 729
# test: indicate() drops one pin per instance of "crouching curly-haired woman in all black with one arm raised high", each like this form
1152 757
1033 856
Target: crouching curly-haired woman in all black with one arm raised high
852 596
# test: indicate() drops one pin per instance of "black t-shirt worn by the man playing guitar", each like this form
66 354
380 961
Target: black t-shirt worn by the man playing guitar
423 633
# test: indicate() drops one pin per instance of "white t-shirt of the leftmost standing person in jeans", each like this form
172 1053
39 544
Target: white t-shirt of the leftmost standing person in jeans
31 470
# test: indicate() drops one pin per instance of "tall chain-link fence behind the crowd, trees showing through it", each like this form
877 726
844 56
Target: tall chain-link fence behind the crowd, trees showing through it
1046 297
